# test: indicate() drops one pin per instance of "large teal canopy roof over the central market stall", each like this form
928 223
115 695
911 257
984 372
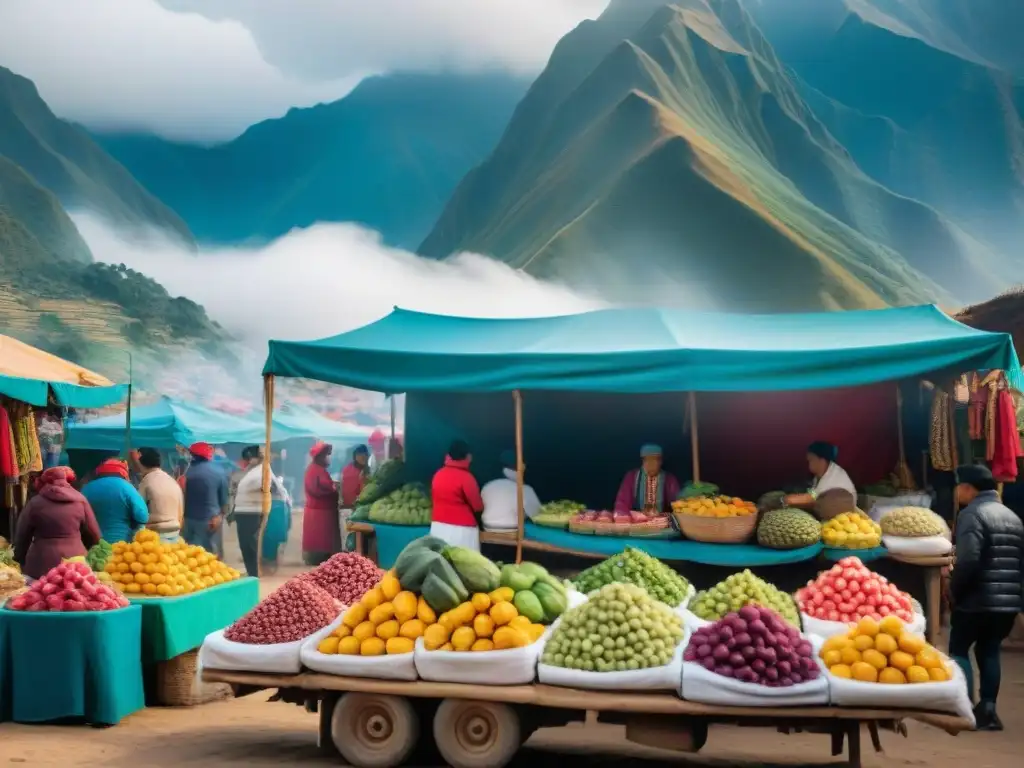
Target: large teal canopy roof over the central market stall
646 351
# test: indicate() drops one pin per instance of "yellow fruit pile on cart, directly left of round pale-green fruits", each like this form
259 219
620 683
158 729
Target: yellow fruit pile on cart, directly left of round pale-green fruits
483 623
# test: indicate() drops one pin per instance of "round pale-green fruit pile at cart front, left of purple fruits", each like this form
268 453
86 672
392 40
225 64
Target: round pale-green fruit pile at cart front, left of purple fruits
620 628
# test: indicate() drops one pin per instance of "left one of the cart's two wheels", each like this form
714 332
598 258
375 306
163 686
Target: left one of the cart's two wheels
373 731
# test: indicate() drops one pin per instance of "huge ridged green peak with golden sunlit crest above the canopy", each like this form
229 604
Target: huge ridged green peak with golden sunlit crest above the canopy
666 154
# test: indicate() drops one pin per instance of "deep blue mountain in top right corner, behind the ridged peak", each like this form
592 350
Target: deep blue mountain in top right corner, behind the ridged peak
927 96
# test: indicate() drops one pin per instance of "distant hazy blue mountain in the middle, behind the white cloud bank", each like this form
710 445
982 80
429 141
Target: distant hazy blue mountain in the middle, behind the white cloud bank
388 156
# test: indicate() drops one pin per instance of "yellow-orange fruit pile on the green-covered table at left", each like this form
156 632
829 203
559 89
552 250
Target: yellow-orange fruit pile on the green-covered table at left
147 567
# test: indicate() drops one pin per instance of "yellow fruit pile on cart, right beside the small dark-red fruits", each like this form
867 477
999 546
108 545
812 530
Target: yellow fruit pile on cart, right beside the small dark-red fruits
387 621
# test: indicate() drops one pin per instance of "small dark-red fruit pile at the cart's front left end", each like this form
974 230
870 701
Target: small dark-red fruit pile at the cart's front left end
291 613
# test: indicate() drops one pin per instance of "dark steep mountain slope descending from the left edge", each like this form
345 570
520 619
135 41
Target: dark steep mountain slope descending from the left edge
64 159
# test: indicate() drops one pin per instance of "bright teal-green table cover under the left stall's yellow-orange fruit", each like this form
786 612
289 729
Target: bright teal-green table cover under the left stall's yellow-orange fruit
173 626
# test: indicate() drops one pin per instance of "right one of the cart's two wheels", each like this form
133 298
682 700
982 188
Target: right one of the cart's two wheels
477 735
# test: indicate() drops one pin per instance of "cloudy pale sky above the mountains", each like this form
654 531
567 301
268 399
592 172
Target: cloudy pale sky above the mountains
205 70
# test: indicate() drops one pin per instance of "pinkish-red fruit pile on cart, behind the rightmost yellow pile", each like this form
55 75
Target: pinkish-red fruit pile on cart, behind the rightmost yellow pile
849 591
